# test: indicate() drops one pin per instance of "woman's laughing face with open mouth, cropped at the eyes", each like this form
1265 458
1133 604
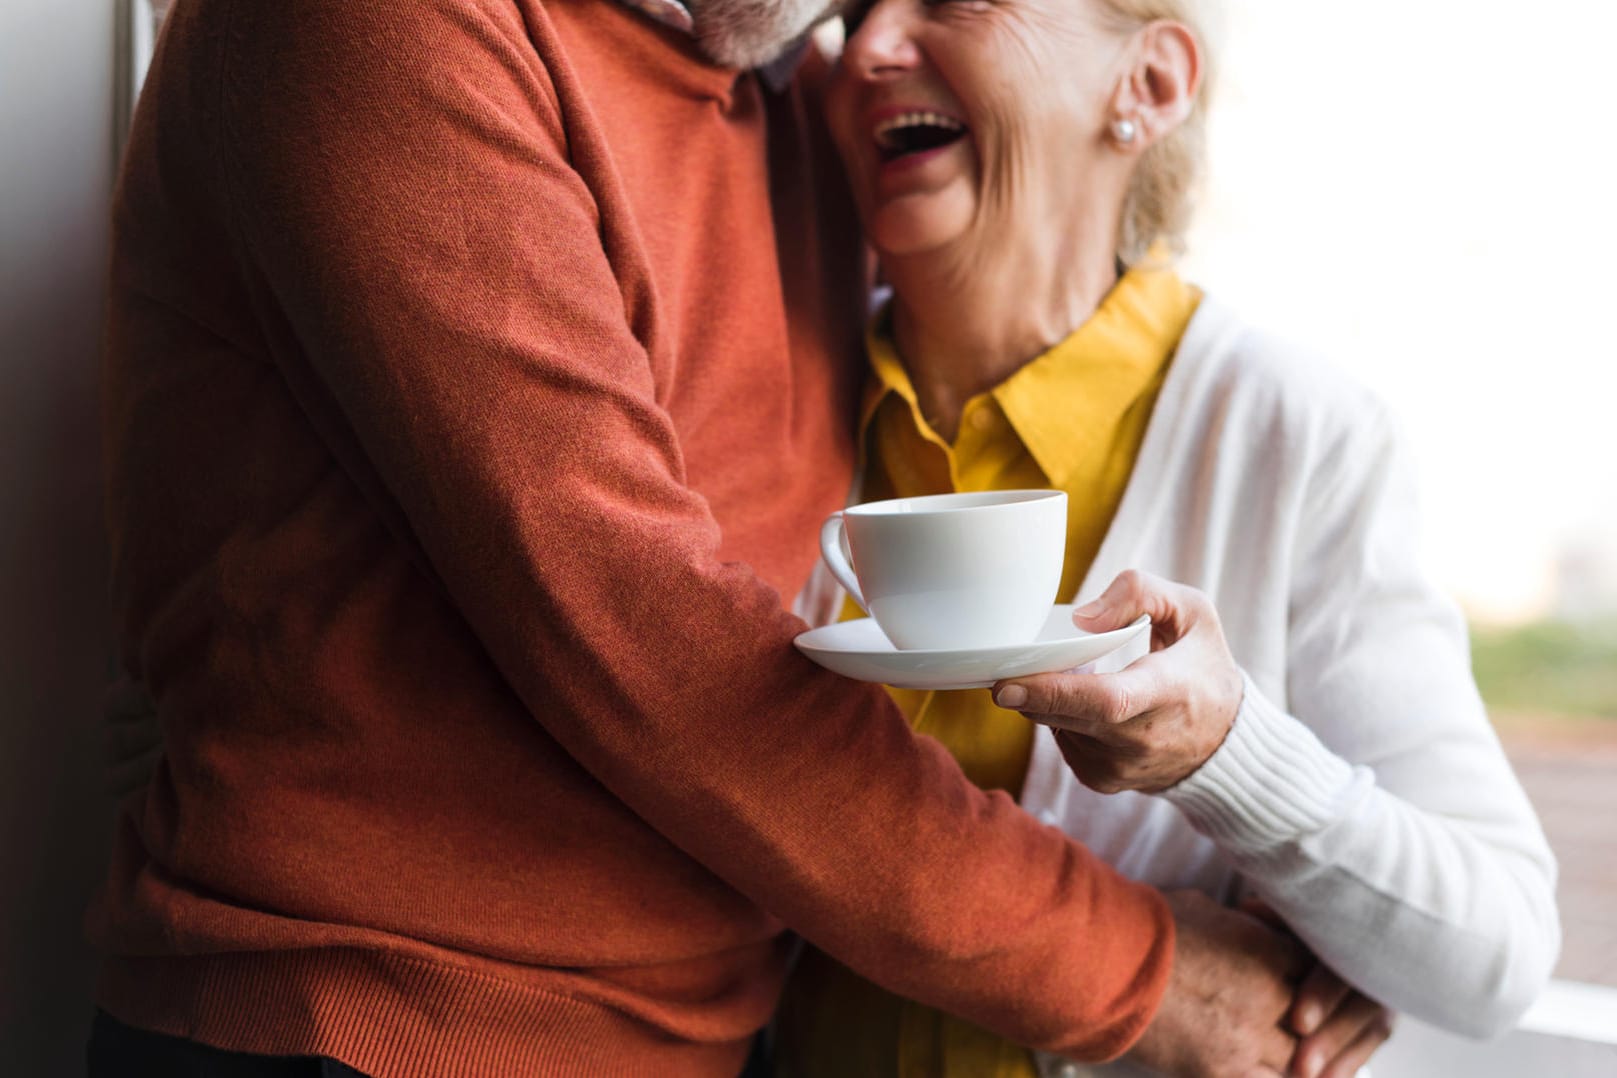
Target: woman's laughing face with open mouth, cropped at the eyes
969 120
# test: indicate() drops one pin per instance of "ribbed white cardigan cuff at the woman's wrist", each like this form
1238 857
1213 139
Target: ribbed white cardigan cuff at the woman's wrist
1270 783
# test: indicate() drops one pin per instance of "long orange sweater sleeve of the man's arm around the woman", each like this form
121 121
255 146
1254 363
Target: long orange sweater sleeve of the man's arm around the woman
402 182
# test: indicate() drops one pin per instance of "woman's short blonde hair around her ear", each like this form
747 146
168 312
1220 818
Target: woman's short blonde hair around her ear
1162 198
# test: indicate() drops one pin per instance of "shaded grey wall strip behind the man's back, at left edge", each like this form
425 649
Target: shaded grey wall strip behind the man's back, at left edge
56 180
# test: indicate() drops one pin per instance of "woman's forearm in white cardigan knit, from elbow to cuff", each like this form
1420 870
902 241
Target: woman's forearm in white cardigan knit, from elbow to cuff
1443 909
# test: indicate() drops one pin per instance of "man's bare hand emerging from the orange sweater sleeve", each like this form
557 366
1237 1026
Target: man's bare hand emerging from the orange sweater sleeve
1228 996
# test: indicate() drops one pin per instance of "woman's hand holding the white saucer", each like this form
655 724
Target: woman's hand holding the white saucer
1155 723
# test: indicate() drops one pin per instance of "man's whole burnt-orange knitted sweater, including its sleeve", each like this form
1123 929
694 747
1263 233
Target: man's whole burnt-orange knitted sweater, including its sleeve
470 415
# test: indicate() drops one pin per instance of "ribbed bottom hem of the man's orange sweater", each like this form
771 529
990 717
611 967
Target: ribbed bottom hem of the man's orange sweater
394 1017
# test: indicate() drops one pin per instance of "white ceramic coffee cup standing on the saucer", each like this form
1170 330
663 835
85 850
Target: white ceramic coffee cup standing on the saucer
953 571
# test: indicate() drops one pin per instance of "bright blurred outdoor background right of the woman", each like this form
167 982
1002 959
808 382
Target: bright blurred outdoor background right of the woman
1427 190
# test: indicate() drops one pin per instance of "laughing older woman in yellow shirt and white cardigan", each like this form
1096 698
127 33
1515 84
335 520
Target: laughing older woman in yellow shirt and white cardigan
1306 730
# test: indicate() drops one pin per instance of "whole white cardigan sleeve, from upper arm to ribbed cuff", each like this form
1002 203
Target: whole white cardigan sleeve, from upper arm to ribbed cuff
1380 815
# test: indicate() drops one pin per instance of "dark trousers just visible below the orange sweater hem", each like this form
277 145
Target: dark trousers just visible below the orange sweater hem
119 1051
